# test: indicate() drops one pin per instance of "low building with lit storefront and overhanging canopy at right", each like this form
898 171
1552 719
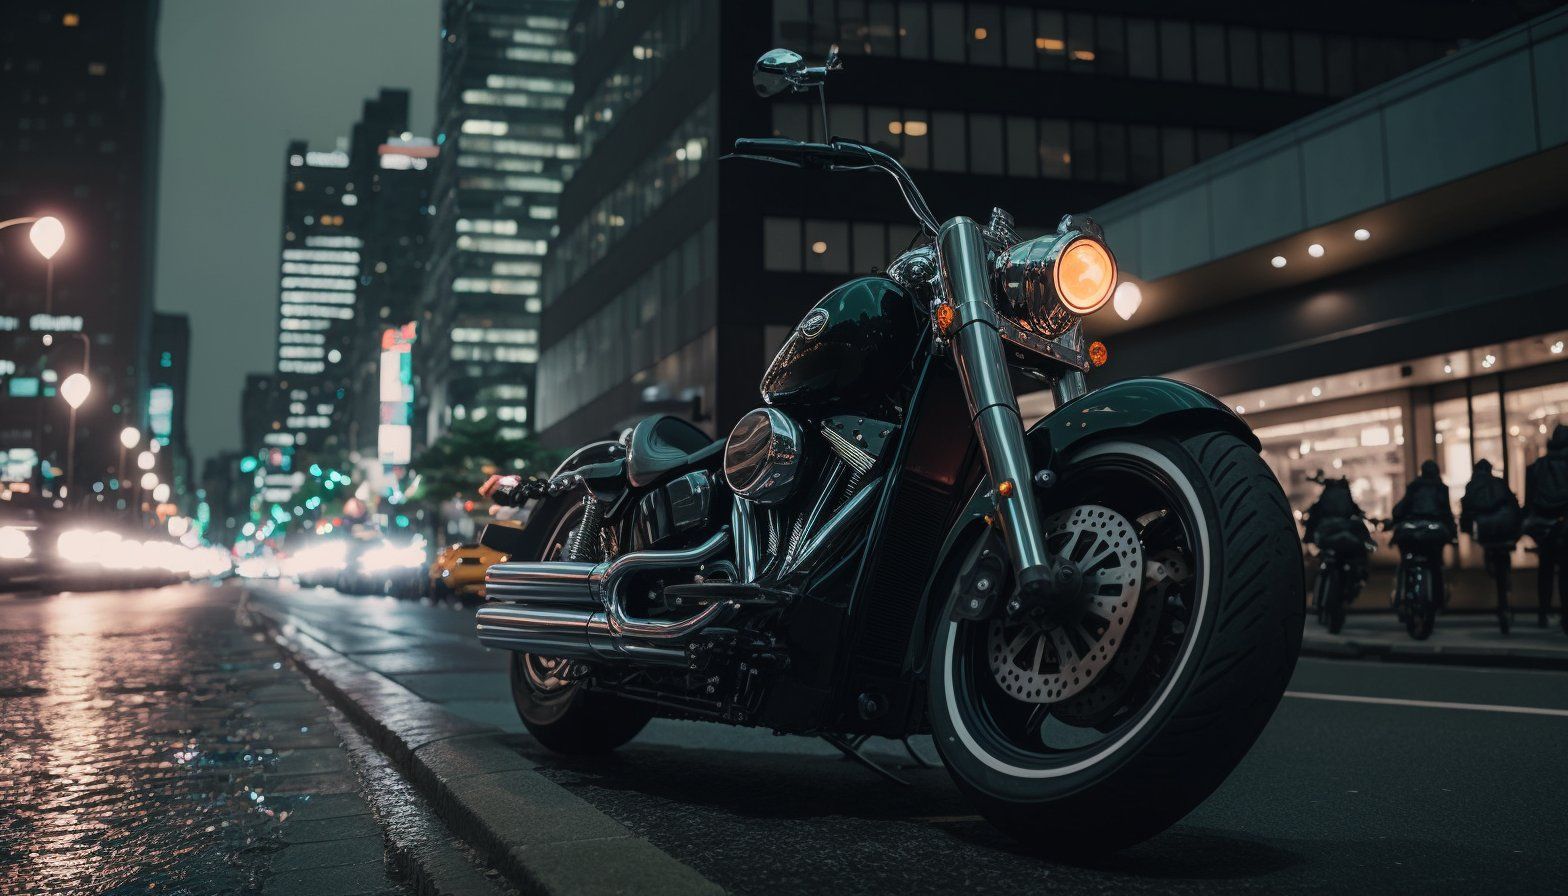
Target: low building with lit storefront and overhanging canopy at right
1376 285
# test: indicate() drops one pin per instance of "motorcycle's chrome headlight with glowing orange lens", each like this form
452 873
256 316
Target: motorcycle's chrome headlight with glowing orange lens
1061 277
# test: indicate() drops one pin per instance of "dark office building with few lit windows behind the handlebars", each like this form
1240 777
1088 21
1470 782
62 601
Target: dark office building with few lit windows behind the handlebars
675 279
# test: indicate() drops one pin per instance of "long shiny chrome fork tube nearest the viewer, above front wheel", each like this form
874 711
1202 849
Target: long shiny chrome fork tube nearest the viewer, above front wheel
982 370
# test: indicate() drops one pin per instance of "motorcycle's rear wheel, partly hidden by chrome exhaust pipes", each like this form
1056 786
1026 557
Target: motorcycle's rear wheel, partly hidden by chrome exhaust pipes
553 701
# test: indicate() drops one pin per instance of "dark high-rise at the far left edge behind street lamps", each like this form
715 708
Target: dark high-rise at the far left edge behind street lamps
79 140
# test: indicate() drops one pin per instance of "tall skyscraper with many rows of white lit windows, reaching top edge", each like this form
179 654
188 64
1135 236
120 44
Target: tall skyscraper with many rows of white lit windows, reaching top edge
506 78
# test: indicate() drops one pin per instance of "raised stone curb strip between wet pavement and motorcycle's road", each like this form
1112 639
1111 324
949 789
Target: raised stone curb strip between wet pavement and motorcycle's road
539 836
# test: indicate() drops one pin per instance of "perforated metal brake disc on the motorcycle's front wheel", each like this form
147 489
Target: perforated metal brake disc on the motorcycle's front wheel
1047 663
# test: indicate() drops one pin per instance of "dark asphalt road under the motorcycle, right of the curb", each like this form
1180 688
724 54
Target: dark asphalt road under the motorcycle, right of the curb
1371 779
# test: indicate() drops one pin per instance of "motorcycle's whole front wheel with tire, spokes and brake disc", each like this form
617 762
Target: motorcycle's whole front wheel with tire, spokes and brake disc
1098 734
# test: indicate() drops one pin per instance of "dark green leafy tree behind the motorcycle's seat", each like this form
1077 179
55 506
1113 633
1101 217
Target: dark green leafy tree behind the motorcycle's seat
459 462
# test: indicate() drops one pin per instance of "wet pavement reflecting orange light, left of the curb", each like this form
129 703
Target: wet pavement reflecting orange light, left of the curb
151 743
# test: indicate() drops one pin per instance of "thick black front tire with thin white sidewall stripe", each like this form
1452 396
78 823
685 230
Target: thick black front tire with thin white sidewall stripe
1199 715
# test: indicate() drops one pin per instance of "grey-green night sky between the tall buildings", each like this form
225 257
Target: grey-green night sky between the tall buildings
241 79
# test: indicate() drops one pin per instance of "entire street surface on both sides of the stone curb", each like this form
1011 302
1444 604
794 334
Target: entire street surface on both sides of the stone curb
158 738
